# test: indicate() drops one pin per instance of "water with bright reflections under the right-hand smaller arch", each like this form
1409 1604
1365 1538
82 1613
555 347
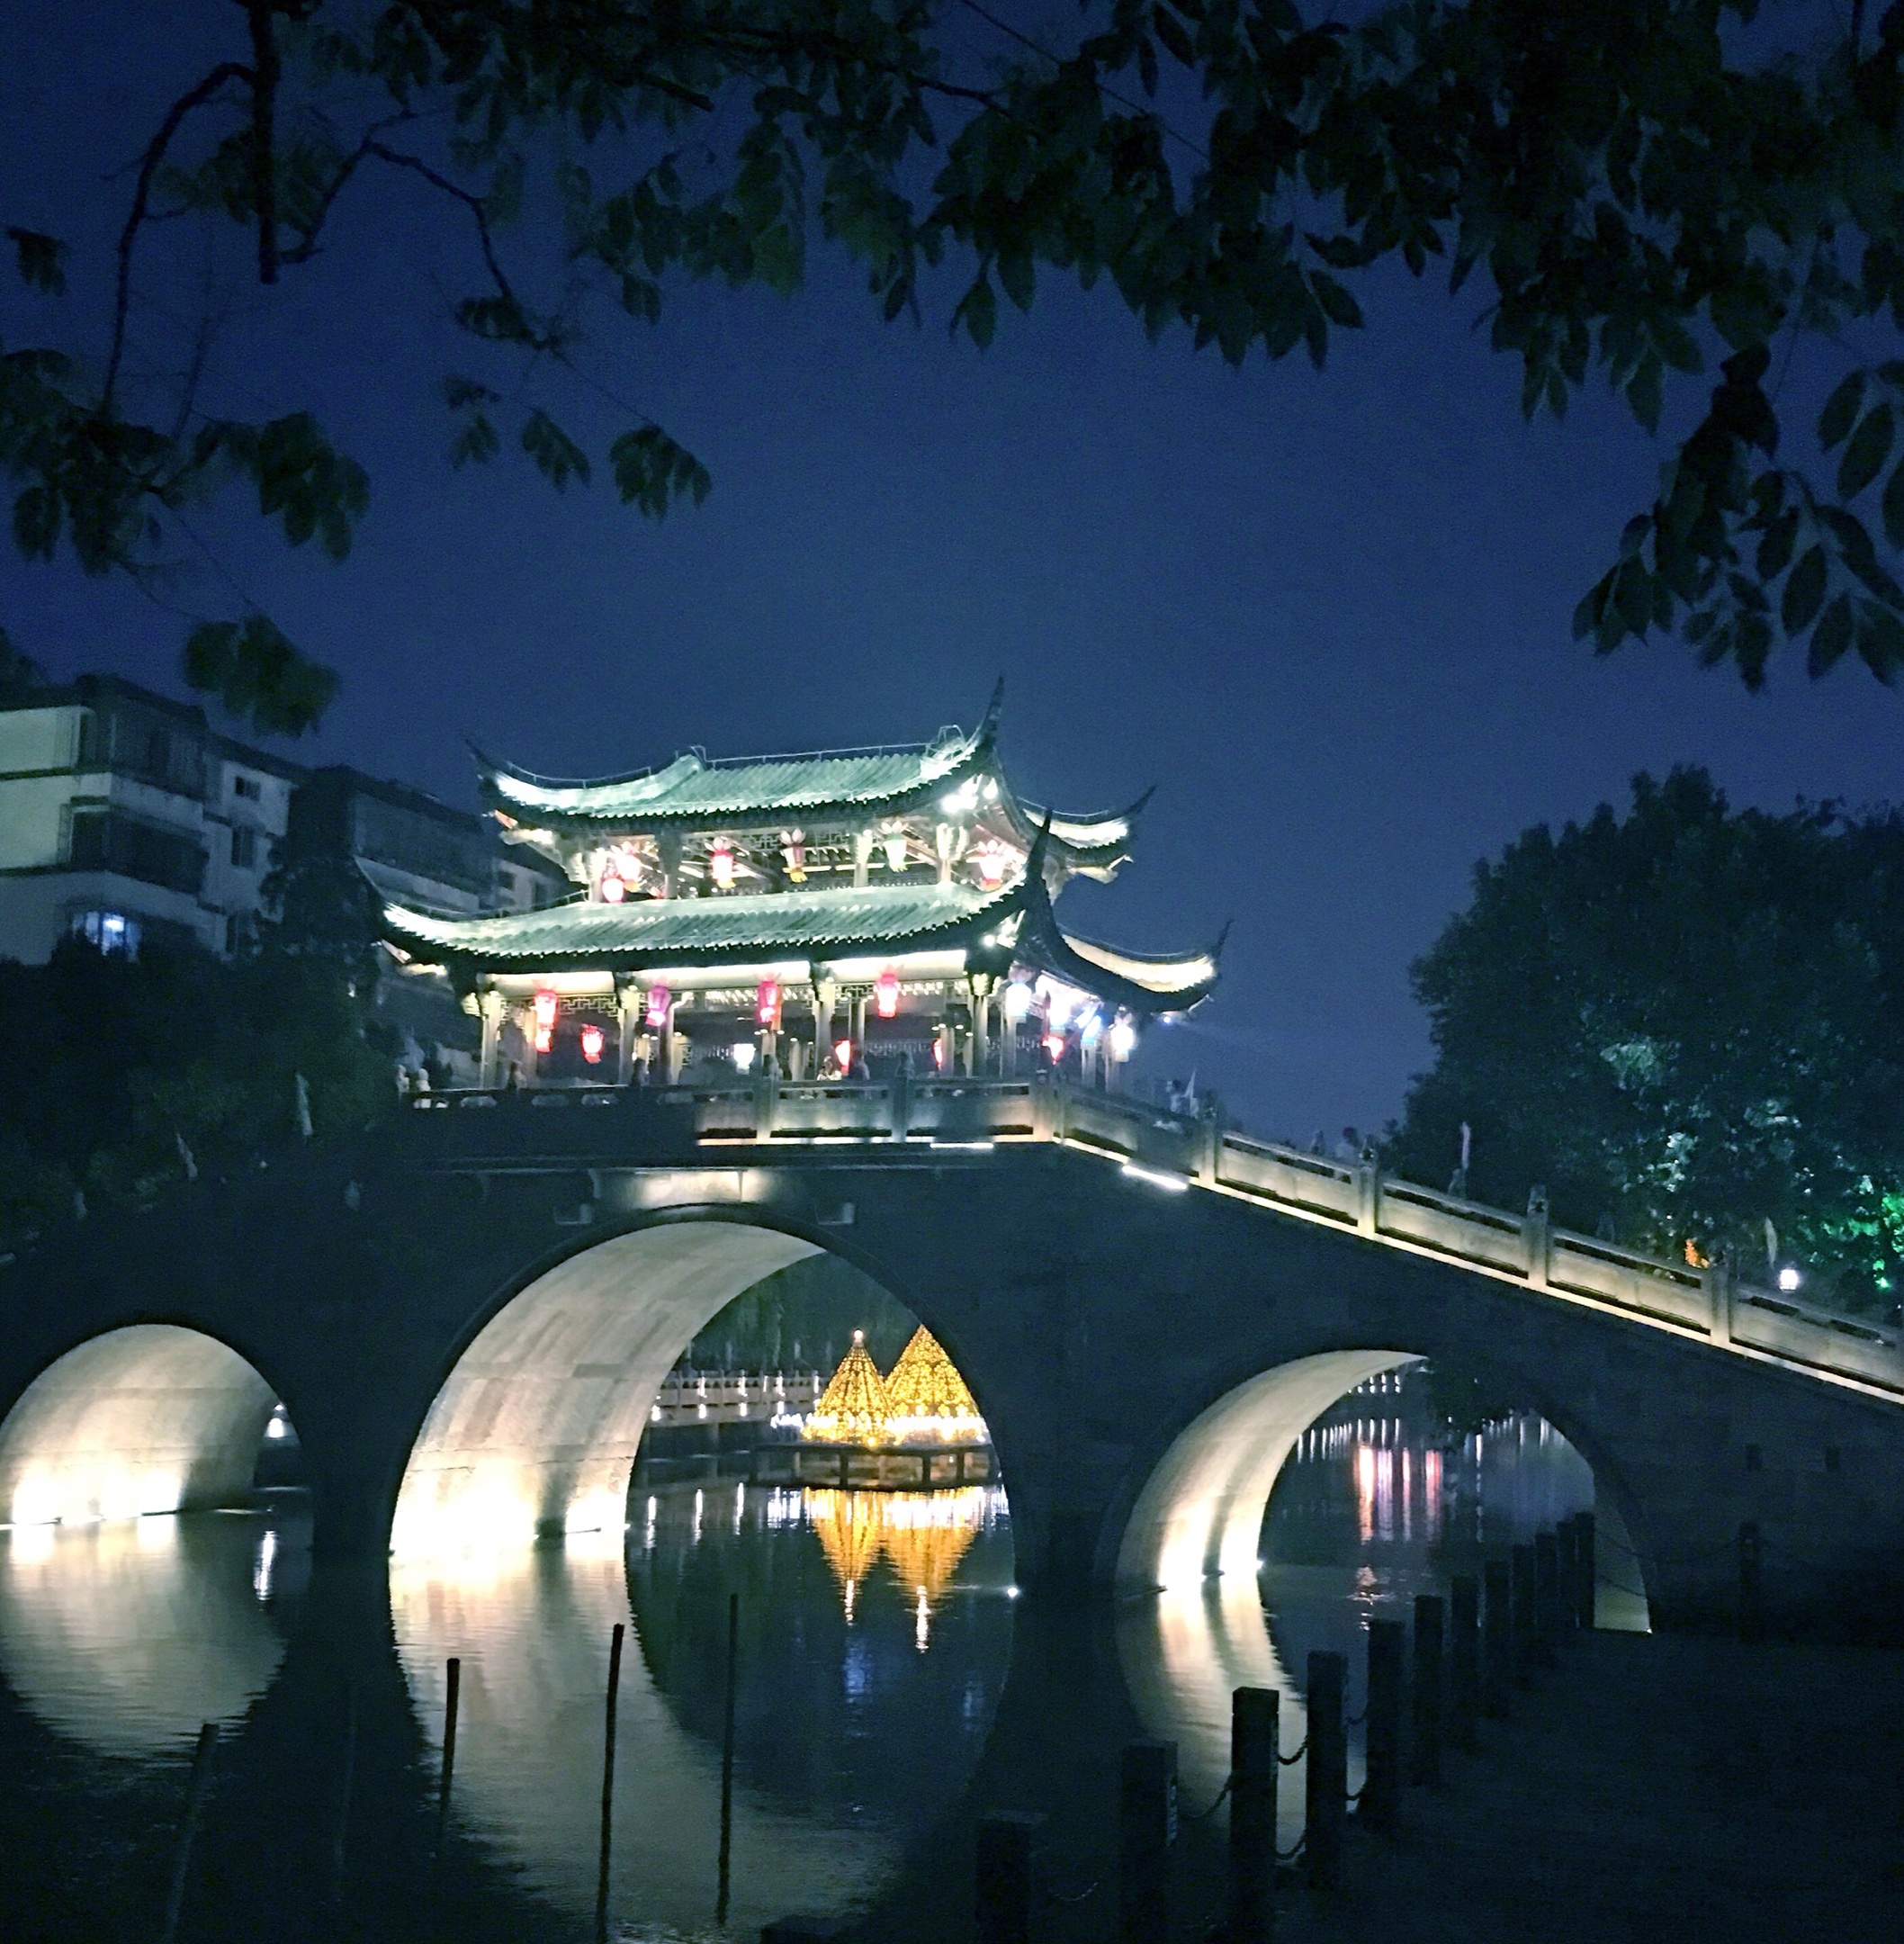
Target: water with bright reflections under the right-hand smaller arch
1367 1513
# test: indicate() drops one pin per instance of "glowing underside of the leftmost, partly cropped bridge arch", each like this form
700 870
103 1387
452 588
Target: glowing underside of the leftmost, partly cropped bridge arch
151 1418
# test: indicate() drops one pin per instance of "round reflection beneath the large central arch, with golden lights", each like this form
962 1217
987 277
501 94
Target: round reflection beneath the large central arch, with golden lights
873 1648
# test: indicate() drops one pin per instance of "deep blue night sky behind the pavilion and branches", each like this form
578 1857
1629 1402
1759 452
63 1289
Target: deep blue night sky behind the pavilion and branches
1326 615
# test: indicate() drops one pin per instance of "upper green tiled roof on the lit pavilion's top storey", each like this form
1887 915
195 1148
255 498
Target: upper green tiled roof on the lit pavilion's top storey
695 792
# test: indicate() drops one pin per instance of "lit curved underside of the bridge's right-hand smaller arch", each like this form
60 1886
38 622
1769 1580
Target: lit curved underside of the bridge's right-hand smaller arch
1200 1511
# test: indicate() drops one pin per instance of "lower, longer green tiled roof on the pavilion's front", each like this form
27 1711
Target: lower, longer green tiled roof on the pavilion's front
667 932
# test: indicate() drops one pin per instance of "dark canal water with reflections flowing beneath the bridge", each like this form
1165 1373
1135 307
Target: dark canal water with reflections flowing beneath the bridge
877 1706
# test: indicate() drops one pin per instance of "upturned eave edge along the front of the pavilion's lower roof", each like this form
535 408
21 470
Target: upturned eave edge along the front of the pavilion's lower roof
469 952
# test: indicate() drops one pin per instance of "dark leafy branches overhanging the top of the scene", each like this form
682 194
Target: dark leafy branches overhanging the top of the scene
1658 191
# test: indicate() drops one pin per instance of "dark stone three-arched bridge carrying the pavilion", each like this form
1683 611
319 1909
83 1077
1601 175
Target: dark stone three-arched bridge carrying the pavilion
469 1315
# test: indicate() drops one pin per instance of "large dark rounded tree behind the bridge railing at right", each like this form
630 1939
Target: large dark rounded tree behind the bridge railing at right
1689 1024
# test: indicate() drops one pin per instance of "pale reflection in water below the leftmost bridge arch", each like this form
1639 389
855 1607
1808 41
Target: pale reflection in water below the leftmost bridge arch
131 1634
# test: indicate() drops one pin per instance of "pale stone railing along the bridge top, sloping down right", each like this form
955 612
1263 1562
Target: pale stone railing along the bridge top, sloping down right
1196 1152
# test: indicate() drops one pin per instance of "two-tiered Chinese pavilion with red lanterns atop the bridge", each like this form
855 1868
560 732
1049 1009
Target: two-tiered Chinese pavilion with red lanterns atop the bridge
813 917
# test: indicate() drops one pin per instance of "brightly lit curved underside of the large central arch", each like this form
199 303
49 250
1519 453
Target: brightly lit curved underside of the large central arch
539 1422
